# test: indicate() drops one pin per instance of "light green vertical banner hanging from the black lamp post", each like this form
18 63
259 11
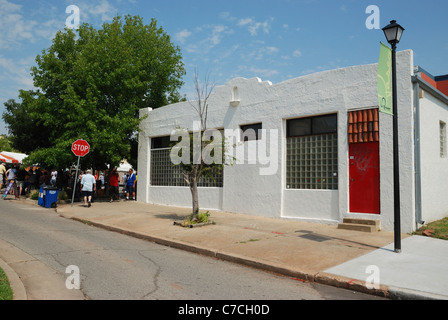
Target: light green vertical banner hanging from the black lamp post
385 80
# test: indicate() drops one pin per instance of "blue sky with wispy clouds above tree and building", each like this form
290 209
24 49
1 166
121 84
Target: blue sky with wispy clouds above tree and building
274 40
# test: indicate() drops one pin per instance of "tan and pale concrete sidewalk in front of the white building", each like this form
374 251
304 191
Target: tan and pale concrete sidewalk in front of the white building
304 251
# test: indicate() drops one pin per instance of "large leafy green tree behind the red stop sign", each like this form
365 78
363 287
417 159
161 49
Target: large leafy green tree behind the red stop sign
91 85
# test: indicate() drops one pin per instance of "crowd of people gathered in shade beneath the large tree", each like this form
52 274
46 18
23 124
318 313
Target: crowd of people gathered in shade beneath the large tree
89 186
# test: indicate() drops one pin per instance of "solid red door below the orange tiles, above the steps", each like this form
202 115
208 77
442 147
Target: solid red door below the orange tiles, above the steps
364 177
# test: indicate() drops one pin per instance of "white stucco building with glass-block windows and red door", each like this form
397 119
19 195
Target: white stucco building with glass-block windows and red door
325 152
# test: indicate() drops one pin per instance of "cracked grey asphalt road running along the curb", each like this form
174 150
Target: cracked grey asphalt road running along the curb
119 267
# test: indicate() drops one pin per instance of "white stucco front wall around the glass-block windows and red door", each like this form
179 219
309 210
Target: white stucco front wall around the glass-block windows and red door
245 190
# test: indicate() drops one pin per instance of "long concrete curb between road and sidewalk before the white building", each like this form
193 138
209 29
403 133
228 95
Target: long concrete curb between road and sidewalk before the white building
320 277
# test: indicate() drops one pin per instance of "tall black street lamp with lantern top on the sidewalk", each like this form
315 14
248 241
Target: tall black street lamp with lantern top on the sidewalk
393 33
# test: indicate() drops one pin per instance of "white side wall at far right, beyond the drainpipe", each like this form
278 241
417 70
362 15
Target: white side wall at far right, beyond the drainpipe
434 169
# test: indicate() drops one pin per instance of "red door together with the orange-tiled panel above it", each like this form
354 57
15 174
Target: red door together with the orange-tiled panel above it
364 161
